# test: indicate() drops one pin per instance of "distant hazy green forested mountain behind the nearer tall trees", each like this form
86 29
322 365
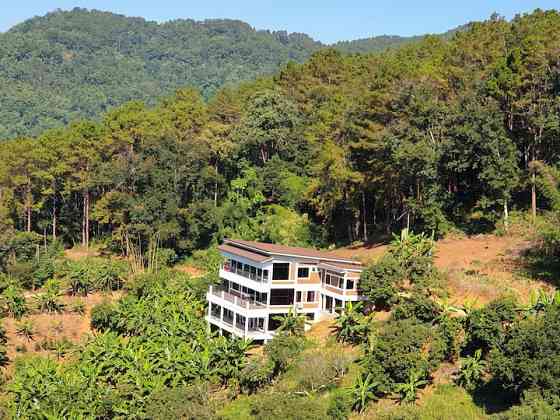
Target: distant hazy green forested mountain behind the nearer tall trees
78 64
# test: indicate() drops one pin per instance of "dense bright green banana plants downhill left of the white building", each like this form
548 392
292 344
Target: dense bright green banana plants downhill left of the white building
155 347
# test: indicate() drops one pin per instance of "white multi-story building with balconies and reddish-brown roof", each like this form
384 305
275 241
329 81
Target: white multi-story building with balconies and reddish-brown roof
260 281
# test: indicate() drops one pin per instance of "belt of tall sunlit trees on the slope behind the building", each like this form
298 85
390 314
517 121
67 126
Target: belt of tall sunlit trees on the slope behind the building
433 135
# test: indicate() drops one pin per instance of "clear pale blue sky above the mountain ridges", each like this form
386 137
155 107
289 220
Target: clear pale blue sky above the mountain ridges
326 20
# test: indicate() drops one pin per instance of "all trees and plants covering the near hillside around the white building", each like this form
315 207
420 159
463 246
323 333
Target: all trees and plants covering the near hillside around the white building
444 135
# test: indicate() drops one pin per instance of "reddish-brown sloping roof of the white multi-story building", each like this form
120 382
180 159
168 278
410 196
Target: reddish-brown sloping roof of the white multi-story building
273 249
